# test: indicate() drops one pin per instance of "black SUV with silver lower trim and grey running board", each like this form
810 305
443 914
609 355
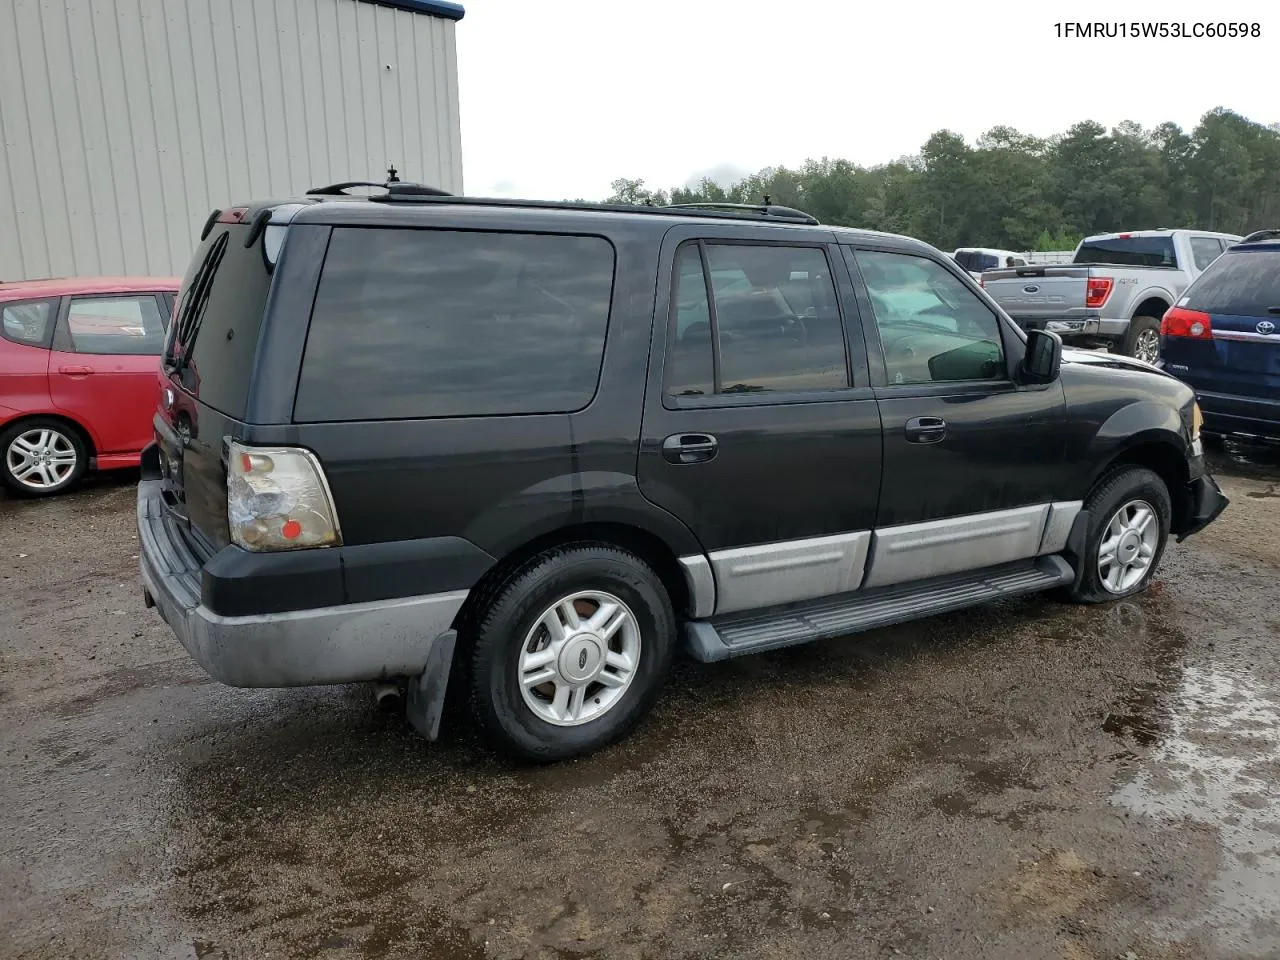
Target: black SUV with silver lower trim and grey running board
529 450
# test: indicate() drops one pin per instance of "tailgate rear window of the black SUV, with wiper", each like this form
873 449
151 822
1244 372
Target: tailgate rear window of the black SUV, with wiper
218 319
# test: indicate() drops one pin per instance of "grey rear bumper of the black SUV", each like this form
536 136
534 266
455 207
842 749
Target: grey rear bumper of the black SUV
339 644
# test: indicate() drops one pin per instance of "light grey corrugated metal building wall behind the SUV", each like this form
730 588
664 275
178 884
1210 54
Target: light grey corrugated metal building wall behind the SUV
125 122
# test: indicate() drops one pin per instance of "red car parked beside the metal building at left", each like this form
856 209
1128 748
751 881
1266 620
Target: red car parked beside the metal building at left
80 364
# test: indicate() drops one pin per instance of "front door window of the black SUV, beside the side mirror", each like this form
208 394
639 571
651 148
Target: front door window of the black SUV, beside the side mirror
932 328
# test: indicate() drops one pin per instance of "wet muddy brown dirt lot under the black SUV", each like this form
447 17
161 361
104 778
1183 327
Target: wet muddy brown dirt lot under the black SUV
1026 780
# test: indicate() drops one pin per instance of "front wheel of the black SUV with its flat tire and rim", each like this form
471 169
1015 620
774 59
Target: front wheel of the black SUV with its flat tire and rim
1130 518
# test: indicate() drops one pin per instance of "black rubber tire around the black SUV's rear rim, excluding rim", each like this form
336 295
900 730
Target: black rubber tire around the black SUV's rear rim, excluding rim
509 614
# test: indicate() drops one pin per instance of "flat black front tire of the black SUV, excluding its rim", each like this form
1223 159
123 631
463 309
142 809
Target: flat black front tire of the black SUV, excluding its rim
1113 492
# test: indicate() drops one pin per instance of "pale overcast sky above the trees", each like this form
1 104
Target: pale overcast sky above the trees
559 99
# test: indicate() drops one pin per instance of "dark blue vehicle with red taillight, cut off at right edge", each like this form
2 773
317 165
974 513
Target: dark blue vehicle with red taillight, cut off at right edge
1223 339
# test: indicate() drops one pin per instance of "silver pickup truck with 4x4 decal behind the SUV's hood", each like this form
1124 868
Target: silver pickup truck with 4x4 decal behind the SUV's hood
1114 292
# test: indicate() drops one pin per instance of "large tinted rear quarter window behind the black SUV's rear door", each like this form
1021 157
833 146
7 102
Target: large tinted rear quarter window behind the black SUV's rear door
446 323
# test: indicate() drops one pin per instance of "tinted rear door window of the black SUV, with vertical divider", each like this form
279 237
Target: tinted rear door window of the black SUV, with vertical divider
775 328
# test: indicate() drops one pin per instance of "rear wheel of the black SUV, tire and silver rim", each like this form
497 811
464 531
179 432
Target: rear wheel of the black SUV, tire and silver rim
572 652
